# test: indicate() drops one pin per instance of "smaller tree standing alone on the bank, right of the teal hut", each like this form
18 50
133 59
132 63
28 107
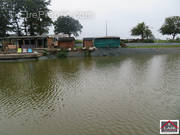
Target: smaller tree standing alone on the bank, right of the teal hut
142 30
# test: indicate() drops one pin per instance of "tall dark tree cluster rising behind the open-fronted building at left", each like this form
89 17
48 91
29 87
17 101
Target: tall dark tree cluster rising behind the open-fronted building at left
29 17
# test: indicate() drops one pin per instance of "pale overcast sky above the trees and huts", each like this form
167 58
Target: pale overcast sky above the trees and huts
121 15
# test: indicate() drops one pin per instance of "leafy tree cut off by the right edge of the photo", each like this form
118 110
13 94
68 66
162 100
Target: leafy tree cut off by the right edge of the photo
171 26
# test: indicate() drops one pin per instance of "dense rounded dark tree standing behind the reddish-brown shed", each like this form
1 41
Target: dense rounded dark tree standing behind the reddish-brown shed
67 25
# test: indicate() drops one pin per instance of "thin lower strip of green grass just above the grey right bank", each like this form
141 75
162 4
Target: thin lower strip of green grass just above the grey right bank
155 46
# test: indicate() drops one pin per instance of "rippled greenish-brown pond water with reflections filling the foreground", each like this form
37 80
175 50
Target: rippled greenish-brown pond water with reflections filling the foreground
89 96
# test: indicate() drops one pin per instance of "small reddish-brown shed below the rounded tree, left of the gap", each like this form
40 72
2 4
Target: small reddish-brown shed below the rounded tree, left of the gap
66 42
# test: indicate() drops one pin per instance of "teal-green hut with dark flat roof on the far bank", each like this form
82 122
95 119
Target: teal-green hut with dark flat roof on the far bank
107 42
